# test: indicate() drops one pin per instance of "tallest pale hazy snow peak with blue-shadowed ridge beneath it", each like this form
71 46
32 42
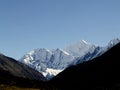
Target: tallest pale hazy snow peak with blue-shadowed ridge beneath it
83 51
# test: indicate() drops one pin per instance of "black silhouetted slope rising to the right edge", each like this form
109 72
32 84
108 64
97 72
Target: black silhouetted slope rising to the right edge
100 73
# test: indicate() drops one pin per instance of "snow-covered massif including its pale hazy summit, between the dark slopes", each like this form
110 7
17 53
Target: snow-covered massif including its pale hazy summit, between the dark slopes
55 60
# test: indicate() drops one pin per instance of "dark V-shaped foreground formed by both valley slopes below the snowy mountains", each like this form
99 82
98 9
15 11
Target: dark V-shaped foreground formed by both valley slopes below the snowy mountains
101 73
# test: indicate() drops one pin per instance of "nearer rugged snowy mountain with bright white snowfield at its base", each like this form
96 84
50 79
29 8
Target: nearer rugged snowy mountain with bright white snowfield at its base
49 63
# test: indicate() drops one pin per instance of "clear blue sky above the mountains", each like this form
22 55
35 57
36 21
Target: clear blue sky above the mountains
29 24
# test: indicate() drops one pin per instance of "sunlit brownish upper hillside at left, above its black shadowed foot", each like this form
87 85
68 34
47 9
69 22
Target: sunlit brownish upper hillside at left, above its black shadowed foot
9 66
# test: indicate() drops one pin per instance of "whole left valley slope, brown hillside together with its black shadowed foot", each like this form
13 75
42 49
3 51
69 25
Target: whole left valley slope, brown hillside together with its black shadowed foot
14 73
